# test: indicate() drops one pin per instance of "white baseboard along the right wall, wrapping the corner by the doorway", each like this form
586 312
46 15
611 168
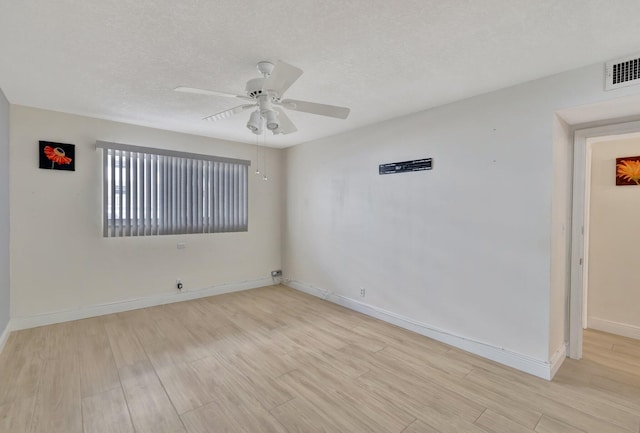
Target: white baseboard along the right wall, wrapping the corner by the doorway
528 364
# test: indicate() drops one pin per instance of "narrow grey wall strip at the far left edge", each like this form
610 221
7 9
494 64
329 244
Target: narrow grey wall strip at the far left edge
4 214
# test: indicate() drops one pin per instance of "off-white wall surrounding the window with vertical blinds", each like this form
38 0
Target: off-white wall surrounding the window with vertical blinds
60 261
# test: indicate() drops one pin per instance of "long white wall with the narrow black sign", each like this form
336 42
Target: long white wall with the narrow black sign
465 249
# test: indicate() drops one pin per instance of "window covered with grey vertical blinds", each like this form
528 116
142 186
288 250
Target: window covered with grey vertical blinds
150 192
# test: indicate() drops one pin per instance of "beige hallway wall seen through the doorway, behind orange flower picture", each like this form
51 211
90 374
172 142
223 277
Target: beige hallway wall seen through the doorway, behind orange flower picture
613 290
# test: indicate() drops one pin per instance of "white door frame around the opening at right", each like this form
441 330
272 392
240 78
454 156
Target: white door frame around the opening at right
580 225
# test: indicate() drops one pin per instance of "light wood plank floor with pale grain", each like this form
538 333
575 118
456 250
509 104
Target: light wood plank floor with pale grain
276 360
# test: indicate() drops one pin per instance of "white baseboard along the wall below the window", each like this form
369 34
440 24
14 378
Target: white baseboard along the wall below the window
25 322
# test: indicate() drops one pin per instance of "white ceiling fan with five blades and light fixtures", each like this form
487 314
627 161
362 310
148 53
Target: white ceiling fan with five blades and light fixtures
265 94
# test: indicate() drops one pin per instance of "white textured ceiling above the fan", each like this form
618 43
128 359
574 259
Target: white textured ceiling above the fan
120 59
